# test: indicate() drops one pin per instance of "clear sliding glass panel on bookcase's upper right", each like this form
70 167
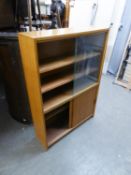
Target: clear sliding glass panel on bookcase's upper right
88 51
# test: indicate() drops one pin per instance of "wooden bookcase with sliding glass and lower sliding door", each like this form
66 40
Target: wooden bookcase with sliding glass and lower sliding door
62 69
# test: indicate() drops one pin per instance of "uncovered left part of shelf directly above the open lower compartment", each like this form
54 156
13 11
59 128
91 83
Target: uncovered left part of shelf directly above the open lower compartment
57 100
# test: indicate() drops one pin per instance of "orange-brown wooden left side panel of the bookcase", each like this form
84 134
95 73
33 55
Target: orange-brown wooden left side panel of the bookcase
30 64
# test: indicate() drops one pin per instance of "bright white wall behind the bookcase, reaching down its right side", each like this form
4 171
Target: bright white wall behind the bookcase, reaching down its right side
107 12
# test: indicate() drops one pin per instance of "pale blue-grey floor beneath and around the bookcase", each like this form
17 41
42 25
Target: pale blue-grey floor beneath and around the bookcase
101 146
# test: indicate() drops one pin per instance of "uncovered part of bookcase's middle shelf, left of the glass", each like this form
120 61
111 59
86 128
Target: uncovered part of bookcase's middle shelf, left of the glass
62 80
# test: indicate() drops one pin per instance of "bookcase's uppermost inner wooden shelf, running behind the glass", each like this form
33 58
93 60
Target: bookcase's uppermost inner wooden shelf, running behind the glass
65 61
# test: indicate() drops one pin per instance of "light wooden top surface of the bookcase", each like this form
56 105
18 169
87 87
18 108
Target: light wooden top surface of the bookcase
45 35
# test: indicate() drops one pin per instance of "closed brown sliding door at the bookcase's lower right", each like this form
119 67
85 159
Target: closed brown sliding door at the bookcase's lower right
83 106
